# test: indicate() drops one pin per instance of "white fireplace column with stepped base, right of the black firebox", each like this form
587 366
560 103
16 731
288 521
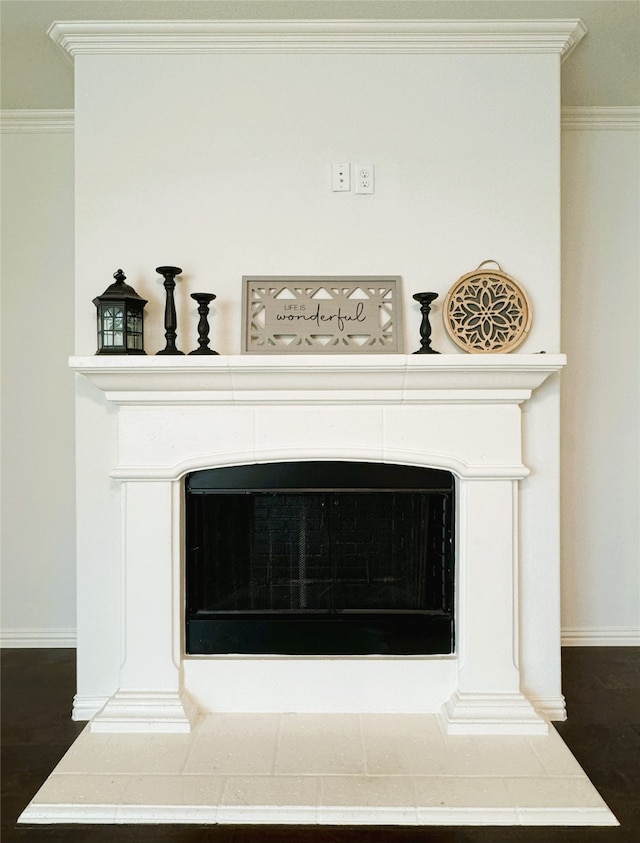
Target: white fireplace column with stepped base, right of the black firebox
488 699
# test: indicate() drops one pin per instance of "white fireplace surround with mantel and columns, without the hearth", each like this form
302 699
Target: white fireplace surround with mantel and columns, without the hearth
461 413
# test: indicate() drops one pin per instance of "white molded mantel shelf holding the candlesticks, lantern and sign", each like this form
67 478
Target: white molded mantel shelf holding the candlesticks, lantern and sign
324 379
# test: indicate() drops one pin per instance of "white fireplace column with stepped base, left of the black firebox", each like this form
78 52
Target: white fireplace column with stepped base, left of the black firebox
149 698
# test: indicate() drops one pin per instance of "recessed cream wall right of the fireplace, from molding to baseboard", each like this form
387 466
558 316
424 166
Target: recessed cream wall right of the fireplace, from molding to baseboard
601 385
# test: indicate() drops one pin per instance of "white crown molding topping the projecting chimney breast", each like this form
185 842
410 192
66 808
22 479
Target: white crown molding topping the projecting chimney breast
328 36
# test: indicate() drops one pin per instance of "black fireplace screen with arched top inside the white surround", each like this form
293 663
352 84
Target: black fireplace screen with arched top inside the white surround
319 558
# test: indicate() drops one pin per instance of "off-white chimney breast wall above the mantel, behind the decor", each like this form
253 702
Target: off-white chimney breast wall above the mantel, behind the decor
220 164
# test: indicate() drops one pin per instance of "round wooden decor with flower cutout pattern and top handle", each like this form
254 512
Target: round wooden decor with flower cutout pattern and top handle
487 311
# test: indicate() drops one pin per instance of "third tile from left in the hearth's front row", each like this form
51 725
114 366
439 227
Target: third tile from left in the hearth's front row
270 799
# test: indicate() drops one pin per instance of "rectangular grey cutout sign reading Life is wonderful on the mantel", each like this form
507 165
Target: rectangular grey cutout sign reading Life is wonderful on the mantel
310 314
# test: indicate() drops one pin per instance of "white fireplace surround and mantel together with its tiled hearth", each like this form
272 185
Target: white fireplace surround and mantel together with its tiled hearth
424 738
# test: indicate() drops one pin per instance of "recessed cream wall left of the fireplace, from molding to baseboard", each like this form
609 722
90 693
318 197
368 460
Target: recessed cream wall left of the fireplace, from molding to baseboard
38 511
